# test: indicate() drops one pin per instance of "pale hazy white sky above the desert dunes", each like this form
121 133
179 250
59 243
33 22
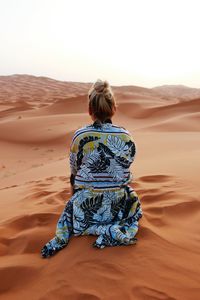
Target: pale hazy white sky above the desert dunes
129 42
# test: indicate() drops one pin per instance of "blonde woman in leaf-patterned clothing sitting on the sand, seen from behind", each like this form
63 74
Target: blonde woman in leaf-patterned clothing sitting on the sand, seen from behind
102 202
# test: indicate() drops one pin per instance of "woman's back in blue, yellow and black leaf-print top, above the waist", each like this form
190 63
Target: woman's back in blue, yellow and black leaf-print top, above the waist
101 155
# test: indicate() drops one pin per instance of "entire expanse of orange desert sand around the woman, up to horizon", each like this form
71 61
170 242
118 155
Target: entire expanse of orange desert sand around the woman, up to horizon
37 119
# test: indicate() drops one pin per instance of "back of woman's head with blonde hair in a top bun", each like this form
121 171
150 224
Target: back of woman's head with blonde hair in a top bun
102 104
